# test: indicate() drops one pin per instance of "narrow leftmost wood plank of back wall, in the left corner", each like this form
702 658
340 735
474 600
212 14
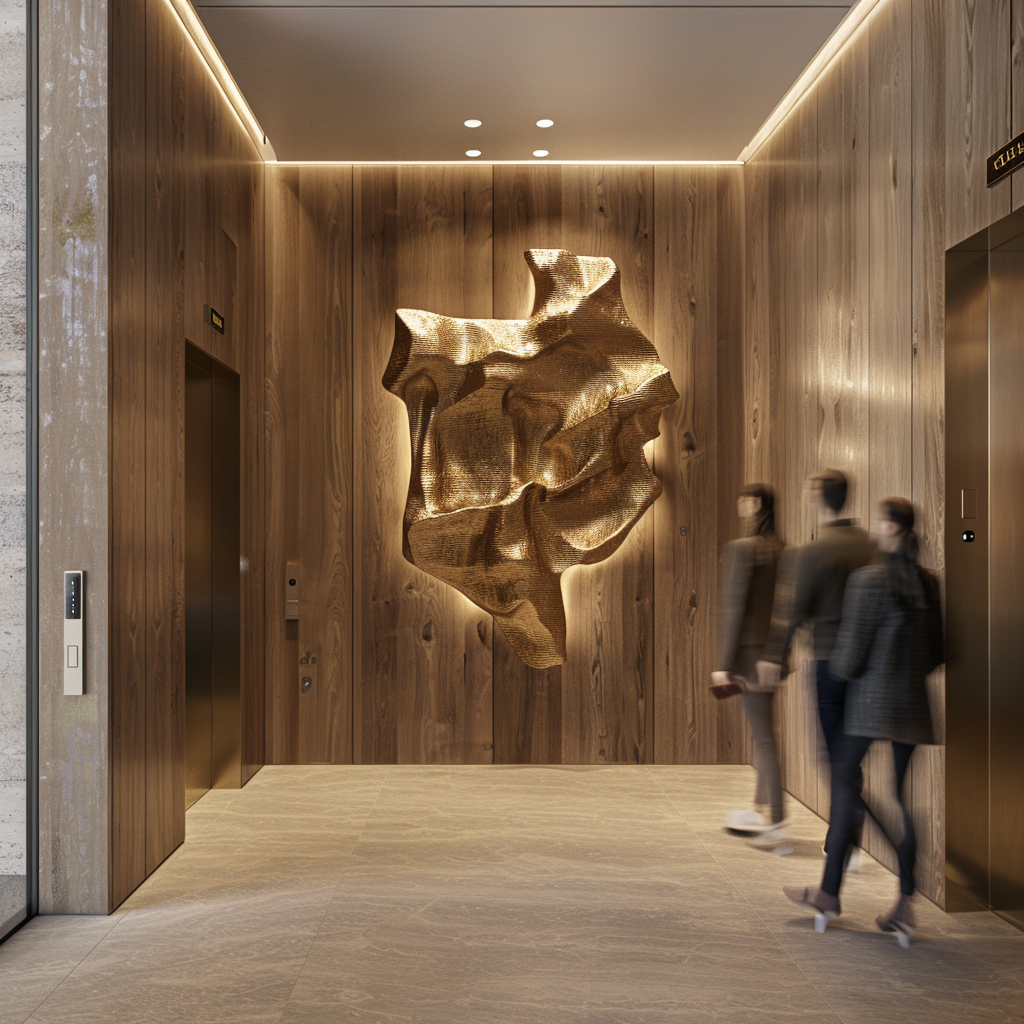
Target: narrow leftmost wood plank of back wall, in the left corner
281 442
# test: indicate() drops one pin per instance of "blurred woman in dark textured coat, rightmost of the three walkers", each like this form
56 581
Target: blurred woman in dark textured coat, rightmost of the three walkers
890 639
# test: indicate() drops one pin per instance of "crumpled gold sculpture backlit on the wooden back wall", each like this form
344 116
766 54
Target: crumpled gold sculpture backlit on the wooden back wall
528 444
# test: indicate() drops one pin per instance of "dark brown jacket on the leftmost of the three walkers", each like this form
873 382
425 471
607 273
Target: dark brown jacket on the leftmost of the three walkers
747 590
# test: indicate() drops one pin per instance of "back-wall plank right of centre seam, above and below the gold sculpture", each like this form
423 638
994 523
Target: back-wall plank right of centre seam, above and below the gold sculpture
528 215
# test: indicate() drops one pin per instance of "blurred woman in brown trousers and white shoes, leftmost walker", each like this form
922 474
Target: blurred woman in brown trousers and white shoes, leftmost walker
748 590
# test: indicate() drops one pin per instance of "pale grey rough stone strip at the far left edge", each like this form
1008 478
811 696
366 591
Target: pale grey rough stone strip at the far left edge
13 397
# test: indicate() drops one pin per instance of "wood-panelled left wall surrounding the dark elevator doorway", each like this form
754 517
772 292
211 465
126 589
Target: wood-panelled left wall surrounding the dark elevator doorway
187 232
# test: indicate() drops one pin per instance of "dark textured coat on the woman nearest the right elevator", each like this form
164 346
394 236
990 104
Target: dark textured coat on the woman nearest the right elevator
887 651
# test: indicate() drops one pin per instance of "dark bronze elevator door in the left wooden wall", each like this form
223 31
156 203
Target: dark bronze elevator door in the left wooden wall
220 651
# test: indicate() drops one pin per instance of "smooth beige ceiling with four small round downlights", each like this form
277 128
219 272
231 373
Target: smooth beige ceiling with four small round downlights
629 80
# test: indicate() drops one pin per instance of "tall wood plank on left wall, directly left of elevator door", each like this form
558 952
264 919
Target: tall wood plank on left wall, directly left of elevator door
164 435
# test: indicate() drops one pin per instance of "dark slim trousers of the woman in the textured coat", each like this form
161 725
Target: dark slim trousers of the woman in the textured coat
848 813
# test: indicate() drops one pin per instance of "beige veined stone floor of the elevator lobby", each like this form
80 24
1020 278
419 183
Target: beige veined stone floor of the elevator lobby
413 894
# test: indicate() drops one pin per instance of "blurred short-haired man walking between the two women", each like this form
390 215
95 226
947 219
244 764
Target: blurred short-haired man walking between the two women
820 572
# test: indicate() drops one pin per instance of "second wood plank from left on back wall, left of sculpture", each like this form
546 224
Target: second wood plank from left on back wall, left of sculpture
324 508
